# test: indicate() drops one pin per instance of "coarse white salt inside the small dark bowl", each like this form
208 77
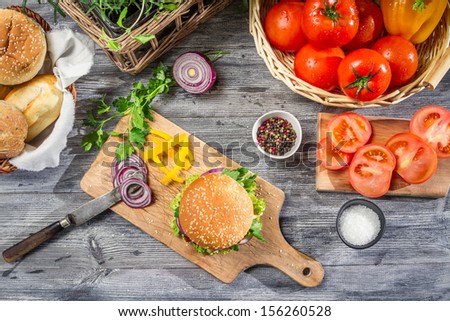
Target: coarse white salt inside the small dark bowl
359 225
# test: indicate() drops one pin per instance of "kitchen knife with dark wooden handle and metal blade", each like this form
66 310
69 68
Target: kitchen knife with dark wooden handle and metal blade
81 215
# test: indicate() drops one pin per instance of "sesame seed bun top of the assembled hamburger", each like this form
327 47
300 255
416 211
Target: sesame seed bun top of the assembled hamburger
216 212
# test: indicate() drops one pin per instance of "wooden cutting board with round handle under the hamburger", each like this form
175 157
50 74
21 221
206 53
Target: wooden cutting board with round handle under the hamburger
156 218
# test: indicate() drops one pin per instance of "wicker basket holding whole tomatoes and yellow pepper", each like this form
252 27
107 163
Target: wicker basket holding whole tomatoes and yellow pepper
434 62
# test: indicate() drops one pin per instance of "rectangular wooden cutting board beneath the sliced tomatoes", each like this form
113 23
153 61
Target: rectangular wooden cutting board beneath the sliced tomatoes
383 129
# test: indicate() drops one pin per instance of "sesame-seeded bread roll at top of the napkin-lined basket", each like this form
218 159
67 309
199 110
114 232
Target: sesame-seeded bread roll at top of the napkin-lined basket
22 47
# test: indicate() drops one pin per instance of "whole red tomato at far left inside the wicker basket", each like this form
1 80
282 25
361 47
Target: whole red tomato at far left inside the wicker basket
283 26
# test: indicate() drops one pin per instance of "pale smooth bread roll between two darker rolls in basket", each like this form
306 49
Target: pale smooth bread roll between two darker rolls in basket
39 100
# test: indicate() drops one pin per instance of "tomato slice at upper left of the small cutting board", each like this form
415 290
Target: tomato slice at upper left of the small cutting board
349 131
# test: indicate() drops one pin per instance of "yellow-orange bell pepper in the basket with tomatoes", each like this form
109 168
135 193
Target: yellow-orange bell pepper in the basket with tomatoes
414 20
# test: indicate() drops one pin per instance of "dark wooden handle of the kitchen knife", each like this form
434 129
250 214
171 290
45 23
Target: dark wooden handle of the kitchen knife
32 242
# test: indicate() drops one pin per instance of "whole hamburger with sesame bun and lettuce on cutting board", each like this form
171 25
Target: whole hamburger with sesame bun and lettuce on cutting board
218 211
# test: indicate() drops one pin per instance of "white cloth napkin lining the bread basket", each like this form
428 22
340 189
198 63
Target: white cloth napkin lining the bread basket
71 55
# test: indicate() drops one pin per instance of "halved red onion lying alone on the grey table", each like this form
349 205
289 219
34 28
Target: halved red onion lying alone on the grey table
194 72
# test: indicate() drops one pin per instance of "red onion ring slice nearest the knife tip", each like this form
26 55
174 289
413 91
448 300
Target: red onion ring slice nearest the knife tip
129 190
